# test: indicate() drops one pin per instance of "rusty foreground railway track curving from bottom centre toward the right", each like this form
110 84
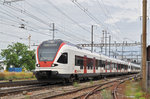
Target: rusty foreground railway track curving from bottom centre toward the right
85 93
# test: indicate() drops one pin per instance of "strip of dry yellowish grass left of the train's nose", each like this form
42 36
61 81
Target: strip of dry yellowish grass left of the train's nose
16 75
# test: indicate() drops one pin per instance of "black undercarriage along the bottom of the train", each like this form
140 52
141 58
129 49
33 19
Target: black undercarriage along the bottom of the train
54 76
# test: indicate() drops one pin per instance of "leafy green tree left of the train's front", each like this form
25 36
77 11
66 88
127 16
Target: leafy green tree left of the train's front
18 55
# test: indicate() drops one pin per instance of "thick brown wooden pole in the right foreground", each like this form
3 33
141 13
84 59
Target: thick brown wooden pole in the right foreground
144 81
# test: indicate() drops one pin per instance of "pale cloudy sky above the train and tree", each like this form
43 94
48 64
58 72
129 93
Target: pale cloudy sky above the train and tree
73 20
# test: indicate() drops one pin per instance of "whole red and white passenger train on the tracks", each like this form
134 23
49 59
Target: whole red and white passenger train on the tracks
58 60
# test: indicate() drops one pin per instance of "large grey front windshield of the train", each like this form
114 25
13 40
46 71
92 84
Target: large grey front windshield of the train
47 51
